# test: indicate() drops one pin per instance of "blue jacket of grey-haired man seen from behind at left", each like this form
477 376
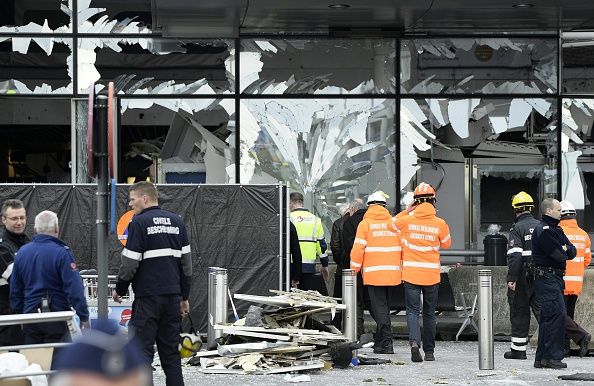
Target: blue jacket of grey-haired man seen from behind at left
46 266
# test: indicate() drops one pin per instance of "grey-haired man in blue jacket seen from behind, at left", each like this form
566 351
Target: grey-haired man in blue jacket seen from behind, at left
45 278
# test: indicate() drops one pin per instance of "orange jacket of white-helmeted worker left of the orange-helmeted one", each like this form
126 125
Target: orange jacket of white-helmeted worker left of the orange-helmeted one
376 251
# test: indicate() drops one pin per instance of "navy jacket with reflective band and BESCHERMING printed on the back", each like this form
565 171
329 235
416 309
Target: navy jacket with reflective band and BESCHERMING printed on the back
157 258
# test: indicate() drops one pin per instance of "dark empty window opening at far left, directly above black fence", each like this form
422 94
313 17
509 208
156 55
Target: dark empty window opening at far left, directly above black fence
35 140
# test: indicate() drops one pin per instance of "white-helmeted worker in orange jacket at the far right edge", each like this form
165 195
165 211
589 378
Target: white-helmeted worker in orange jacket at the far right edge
574 270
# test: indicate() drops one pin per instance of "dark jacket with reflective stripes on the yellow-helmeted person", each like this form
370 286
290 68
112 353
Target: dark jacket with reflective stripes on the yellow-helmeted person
519 247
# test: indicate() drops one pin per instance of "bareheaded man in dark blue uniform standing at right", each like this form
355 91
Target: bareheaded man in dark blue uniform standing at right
550 250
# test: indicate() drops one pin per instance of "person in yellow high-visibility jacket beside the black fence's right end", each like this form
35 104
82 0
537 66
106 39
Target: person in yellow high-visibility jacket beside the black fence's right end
312 244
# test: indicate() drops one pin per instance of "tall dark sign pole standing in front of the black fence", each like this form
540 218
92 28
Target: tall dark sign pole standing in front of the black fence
102 204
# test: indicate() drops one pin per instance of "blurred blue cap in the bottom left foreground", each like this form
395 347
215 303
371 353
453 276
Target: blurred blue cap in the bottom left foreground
104 350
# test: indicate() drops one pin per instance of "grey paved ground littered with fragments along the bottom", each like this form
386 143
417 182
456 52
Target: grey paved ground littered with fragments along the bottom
456 364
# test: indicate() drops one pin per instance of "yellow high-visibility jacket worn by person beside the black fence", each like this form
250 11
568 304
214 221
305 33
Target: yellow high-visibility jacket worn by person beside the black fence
311 235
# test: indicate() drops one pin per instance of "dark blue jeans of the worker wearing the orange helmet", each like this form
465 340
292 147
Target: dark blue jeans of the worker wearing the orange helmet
412 293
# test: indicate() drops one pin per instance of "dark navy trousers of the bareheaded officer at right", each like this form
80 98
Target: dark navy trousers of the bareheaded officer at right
551 329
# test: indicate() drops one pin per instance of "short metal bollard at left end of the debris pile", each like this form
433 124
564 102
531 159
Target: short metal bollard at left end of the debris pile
217 302
